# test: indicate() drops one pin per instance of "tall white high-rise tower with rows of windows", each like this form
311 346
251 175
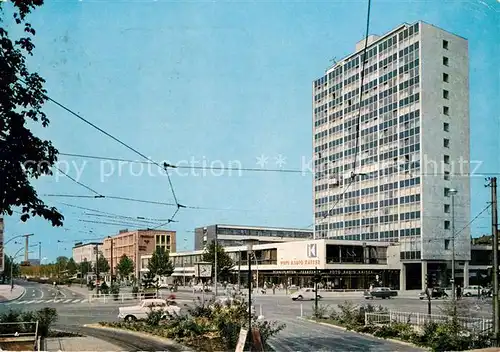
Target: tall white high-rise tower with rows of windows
392 180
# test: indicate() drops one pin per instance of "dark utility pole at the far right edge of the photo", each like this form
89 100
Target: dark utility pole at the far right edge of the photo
494 230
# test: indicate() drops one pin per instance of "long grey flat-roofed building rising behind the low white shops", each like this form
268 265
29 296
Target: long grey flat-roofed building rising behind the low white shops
235 235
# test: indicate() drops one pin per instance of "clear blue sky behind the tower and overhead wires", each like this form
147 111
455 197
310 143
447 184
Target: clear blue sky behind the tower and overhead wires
221 82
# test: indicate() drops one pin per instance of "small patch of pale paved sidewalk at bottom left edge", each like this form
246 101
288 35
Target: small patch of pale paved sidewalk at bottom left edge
87 343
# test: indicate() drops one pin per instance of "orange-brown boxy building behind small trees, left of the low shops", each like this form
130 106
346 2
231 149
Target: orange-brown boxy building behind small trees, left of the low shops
135 244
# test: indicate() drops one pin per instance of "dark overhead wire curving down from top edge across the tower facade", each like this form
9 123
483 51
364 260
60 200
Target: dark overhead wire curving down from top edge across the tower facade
358 122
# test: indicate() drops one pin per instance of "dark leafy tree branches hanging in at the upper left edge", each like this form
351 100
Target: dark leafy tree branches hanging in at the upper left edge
23 156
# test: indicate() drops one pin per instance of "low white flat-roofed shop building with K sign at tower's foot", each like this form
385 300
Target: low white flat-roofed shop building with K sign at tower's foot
343 264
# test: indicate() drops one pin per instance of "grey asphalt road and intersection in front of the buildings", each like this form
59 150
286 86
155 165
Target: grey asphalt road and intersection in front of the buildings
75 310
